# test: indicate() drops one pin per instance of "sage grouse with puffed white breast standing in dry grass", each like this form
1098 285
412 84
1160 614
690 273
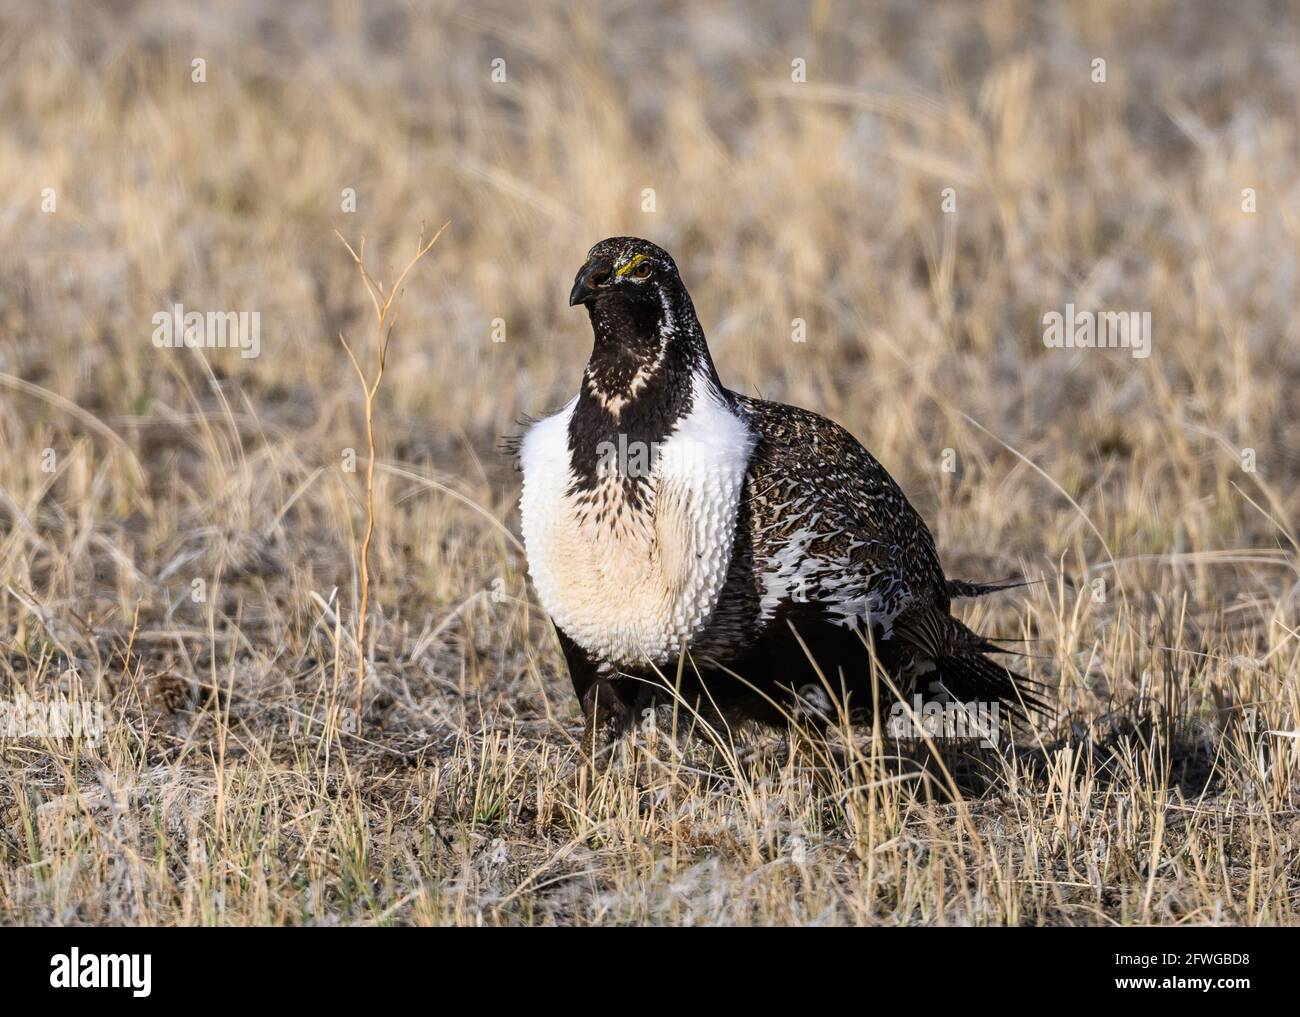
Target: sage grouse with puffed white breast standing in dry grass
746 556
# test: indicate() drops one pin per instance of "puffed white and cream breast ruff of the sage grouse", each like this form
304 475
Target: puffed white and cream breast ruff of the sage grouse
634 587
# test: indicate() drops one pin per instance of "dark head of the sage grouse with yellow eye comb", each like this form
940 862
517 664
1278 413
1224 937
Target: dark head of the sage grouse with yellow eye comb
644 323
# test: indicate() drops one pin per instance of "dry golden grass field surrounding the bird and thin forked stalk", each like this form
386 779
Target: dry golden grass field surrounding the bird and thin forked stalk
232 785
